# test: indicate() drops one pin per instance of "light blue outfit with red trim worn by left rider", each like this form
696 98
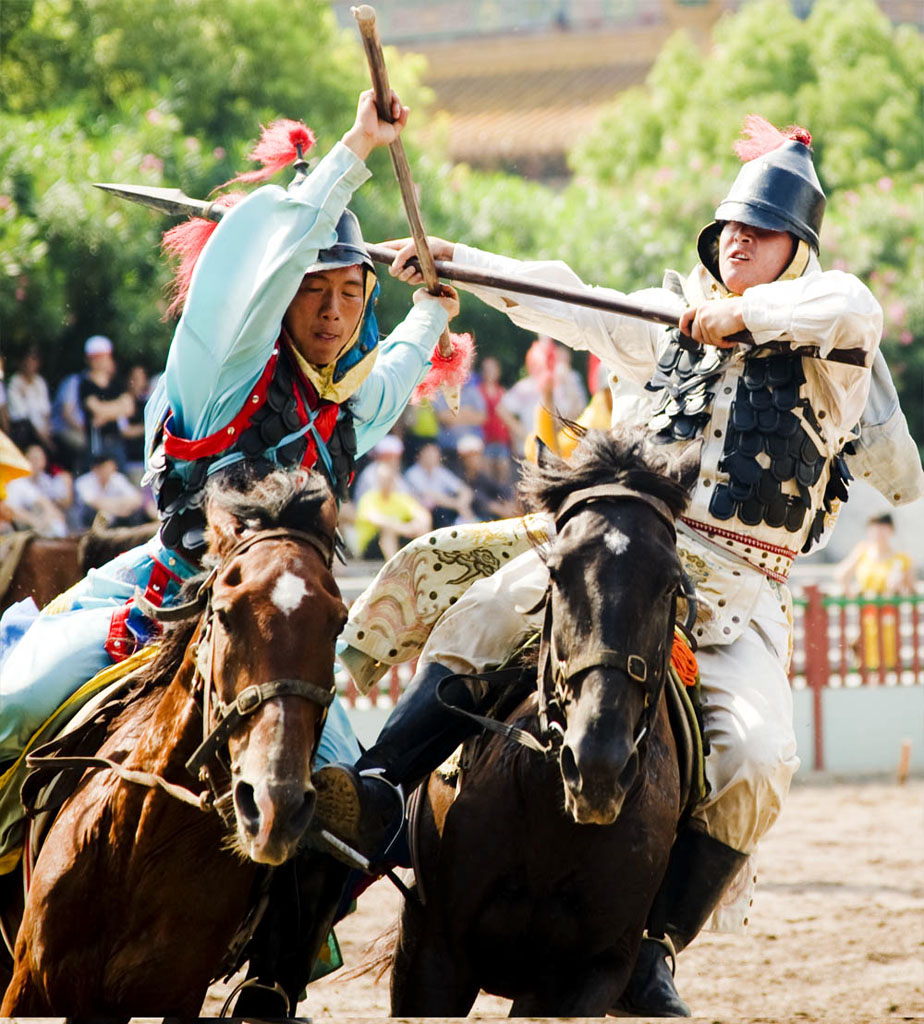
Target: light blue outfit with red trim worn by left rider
232 327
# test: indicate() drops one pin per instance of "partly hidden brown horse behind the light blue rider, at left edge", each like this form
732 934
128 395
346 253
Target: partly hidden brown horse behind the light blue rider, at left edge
49 567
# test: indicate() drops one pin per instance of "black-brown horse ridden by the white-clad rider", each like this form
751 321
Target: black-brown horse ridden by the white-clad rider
538 878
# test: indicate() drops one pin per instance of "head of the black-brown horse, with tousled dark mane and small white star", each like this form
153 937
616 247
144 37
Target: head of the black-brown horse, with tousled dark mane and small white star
614 578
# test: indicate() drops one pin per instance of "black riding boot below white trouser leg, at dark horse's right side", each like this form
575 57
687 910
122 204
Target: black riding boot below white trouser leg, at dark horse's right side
699 872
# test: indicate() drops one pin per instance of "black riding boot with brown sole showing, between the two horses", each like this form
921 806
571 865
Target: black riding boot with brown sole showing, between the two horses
419 736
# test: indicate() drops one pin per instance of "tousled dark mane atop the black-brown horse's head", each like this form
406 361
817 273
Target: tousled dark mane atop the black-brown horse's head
623 455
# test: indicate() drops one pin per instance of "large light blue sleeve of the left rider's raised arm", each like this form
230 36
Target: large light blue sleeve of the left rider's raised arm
243 283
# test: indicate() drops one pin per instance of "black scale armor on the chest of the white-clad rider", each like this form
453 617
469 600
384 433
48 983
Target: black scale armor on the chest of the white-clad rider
763 422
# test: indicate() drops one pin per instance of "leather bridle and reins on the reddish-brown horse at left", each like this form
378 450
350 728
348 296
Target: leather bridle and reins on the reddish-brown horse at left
227 717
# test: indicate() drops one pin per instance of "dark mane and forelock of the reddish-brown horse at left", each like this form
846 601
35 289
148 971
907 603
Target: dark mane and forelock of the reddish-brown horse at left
259 499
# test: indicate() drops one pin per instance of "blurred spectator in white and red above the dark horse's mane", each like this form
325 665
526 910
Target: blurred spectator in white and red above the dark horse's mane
547 363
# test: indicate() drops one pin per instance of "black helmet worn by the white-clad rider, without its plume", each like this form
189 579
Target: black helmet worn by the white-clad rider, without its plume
778 191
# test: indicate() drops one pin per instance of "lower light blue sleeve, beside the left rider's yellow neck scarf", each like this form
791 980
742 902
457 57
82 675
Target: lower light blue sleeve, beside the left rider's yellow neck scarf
402 364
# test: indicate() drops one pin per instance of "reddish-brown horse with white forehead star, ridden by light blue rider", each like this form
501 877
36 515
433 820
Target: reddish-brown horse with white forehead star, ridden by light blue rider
137 894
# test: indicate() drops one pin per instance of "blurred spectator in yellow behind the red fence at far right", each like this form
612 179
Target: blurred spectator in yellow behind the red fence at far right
875 570
